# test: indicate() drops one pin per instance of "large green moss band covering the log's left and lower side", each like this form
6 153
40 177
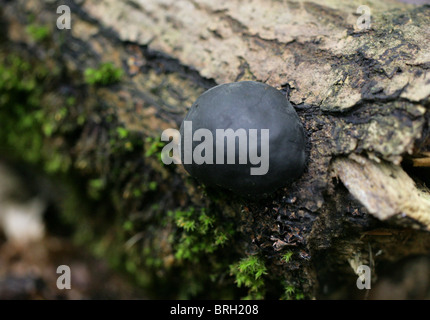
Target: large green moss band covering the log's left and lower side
112 199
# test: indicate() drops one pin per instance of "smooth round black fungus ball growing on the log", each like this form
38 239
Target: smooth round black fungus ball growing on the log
252 140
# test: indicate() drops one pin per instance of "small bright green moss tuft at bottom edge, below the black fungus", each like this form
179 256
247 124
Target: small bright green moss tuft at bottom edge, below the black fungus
248 272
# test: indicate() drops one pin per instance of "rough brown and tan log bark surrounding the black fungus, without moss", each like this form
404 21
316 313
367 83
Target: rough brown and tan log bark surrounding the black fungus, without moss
362 97
